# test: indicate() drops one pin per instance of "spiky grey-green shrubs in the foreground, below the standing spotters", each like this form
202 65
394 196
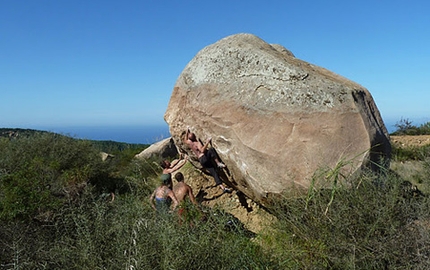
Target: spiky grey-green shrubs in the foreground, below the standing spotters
96 234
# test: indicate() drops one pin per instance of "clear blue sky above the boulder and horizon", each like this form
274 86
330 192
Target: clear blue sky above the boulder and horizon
104 62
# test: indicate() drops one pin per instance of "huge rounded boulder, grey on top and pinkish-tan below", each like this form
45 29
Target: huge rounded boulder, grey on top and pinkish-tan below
274 119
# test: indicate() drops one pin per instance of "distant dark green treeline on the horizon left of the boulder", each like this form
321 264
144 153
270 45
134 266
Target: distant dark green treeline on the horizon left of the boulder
105 146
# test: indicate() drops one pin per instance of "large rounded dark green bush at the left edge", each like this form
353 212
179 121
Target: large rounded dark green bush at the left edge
37 172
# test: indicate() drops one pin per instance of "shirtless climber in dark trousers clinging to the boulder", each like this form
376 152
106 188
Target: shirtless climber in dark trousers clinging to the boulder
205 156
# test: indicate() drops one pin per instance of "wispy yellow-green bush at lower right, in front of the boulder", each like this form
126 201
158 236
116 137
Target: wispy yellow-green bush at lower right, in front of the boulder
373 223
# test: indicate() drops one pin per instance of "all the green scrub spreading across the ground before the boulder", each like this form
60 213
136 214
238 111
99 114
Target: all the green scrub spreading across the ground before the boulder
56 213
